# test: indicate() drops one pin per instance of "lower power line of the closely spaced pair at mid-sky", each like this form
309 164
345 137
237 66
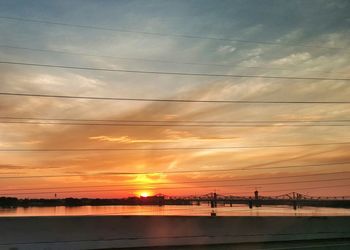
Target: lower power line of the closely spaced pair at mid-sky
174 125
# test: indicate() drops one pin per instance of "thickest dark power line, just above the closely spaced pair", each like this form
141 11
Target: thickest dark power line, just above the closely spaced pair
170 100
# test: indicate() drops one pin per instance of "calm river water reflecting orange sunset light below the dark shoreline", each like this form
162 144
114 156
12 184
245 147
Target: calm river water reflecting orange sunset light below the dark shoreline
237 210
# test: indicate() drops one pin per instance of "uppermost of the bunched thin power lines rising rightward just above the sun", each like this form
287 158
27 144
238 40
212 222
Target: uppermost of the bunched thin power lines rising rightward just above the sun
182 182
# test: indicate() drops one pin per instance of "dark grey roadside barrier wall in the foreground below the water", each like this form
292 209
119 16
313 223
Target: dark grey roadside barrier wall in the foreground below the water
101 232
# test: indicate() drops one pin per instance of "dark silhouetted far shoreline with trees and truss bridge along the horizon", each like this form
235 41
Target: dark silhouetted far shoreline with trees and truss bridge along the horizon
213 199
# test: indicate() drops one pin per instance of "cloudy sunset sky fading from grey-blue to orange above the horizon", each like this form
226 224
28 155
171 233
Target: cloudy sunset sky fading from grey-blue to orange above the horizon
305 39
